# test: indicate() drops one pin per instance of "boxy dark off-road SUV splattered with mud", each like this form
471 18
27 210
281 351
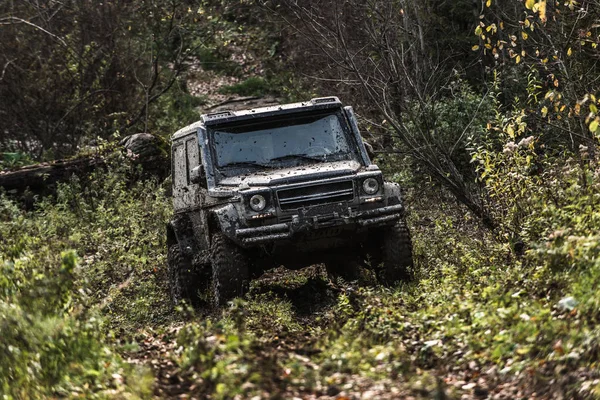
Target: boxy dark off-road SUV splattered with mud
289 185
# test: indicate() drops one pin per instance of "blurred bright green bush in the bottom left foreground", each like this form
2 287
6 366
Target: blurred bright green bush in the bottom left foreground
53 345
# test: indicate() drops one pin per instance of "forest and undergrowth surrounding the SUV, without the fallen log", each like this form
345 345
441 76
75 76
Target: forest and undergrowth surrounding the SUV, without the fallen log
486 112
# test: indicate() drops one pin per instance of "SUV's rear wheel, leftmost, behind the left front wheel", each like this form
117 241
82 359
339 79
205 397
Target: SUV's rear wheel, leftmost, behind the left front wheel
183 277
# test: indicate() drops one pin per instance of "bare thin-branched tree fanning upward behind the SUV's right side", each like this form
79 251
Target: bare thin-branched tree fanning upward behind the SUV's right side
403 59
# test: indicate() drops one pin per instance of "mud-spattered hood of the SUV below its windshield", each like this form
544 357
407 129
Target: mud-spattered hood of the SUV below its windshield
295 174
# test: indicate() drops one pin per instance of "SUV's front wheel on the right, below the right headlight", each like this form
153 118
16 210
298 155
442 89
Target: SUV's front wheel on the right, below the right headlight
397 255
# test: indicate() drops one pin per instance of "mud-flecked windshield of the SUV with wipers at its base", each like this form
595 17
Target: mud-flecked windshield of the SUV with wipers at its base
282 142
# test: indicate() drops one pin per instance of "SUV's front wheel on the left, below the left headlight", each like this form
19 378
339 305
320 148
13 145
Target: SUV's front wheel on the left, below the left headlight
229 269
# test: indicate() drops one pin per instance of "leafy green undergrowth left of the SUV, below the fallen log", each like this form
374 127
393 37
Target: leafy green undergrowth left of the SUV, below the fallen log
76 270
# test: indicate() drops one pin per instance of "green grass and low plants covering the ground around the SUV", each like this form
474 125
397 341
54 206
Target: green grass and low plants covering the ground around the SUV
83 280
